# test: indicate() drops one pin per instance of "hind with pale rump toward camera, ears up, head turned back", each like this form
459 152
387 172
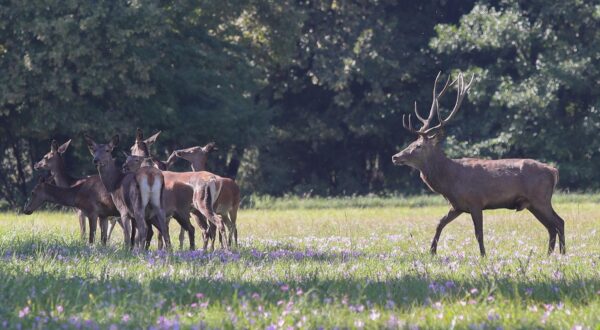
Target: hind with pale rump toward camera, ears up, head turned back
131 192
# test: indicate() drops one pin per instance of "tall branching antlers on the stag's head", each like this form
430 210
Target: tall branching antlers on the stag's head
462 90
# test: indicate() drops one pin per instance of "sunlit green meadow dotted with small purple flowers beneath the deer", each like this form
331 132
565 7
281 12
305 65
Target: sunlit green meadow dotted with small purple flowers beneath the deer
309 268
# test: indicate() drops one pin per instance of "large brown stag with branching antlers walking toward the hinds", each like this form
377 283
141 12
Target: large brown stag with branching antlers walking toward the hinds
473 185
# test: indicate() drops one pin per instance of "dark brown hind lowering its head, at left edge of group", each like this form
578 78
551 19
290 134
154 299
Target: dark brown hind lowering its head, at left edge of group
82 195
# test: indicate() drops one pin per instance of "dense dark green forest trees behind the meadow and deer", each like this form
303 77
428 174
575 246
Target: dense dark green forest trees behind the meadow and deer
308 95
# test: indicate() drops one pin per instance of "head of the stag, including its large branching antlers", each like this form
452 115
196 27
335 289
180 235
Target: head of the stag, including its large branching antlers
419 152
